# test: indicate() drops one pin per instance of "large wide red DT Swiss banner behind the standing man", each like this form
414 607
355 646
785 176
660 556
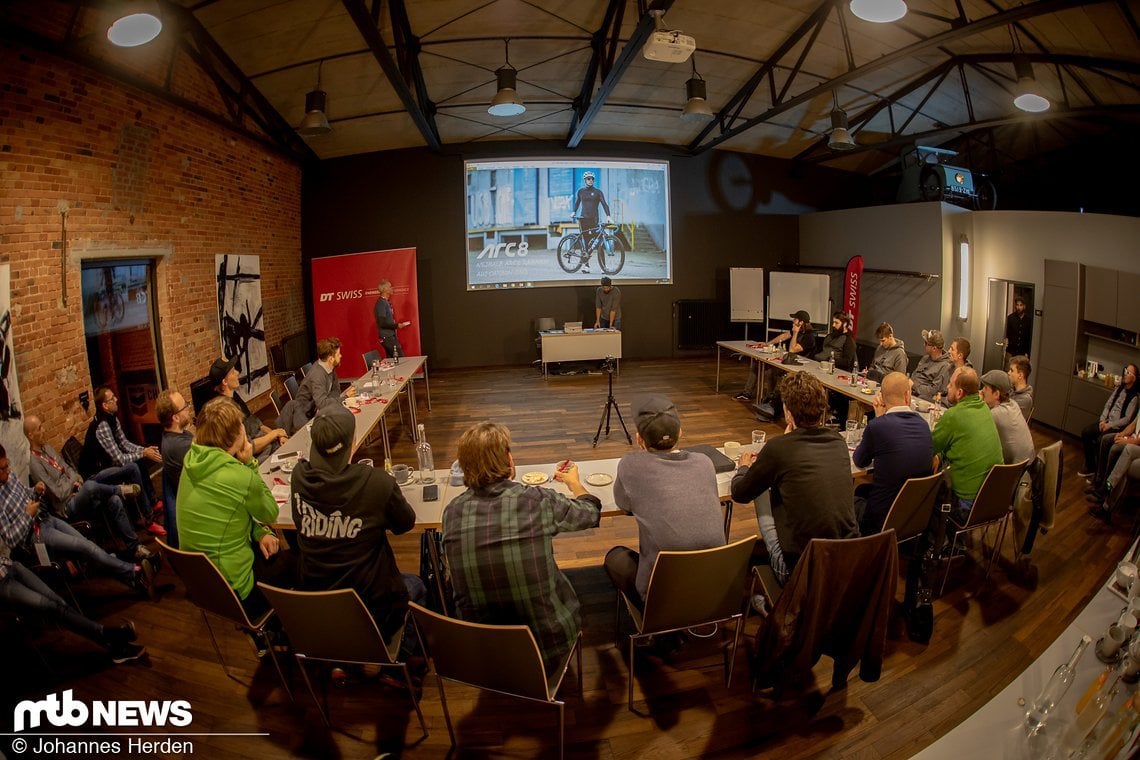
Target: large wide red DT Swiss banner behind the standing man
345 295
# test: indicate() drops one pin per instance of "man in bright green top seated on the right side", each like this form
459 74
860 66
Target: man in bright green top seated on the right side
966 439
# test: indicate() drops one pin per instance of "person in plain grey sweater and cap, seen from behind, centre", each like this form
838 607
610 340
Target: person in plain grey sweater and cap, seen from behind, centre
672 494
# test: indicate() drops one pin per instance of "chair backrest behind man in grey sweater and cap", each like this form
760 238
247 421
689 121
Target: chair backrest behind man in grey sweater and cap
688 589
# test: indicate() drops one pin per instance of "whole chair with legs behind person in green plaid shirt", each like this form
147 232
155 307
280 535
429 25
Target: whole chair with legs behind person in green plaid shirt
501 659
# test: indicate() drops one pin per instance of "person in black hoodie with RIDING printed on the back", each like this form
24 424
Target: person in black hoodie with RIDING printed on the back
344 513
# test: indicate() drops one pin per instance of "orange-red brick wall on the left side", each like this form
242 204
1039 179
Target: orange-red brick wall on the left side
135 177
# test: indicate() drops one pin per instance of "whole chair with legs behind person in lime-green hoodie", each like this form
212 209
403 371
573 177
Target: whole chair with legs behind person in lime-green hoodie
211 594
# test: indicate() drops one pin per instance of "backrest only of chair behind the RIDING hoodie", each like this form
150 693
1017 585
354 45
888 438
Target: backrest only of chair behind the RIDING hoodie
307 615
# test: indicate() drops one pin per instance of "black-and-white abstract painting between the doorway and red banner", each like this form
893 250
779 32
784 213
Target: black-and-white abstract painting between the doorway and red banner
241 321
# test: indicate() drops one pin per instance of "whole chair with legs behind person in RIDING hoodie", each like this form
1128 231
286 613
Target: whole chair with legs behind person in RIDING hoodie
354 640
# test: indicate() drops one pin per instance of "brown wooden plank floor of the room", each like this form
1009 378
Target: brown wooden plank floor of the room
983 635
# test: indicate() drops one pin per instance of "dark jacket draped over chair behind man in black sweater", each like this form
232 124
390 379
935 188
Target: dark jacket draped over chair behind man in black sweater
836 602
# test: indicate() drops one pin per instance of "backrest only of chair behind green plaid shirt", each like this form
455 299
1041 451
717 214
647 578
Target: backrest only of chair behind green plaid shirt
500 658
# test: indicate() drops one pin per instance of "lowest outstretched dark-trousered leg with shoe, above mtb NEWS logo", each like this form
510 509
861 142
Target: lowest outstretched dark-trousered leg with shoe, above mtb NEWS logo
23 591
